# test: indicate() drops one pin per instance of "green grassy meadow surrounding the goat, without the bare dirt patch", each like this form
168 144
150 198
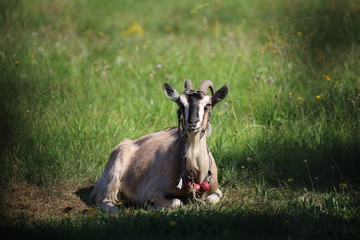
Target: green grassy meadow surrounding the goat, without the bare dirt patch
77 77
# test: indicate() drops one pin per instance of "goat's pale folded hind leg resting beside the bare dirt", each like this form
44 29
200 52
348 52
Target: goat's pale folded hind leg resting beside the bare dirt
106 189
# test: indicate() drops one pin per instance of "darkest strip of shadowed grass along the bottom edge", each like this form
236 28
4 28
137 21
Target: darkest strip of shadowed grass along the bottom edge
221 224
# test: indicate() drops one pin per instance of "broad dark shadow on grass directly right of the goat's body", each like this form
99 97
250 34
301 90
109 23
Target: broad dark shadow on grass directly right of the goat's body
323 166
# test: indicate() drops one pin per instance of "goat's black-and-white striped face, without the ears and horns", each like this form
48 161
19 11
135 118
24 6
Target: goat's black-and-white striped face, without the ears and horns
194 105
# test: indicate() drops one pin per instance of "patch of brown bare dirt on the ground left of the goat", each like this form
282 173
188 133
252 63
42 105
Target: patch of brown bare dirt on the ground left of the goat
27 202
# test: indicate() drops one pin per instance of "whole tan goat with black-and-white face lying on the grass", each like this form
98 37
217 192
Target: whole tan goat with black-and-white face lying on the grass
168 166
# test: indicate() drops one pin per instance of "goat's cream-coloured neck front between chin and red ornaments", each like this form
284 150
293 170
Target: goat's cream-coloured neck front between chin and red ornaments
197 158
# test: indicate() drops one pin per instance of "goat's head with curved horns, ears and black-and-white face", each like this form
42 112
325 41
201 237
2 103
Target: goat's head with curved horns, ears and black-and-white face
195 105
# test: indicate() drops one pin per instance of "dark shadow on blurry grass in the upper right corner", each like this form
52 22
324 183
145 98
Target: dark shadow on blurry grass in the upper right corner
327 34
